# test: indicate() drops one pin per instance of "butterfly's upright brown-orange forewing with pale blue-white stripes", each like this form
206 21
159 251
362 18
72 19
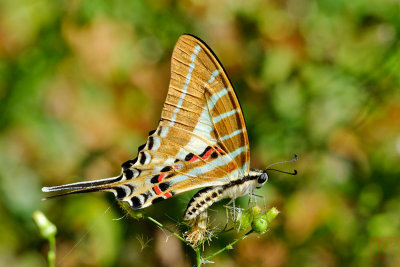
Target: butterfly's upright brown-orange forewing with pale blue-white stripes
201 99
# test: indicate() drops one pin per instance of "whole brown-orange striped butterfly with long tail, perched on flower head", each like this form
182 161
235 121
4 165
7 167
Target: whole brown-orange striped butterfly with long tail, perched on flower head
200 142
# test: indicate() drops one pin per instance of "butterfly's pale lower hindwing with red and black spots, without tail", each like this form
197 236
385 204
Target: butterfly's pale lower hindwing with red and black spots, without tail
165 175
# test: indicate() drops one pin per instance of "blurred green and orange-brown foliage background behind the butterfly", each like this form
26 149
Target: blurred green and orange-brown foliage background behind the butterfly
83 82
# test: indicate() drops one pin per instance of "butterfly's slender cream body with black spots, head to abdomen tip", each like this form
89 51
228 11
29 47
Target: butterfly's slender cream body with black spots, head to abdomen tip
204 198
